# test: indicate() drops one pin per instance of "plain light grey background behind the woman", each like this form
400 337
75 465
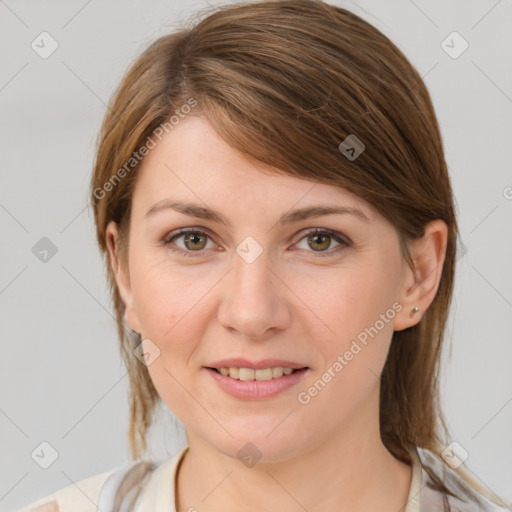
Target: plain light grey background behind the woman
62 380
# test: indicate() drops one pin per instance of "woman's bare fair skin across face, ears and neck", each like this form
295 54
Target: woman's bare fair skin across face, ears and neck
291 303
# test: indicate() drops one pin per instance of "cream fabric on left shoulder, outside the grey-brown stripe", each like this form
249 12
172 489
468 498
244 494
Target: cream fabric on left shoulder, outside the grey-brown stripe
81 496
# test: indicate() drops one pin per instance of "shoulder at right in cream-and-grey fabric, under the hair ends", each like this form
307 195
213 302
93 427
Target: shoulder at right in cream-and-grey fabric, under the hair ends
465 499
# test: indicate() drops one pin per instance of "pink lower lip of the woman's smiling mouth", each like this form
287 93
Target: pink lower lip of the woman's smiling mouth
257 389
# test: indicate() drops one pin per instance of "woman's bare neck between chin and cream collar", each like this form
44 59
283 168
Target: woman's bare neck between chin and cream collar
349 472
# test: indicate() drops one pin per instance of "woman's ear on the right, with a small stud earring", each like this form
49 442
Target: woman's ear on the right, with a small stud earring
420 284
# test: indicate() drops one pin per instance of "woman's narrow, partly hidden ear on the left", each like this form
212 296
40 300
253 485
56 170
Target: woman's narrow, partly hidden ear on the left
122 276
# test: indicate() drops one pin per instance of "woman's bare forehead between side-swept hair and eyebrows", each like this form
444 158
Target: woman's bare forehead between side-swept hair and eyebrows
193 163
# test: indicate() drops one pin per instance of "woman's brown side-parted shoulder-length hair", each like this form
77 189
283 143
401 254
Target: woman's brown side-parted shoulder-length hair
285 82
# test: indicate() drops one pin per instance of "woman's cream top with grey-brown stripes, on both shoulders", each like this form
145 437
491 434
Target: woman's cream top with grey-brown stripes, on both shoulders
96 493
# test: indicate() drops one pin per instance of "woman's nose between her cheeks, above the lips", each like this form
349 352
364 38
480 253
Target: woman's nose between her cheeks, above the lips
254 299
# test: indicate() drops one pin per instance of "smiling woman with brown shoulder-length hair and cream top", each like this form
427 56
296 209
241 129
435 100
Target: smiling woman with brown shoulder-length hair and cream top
272 199
